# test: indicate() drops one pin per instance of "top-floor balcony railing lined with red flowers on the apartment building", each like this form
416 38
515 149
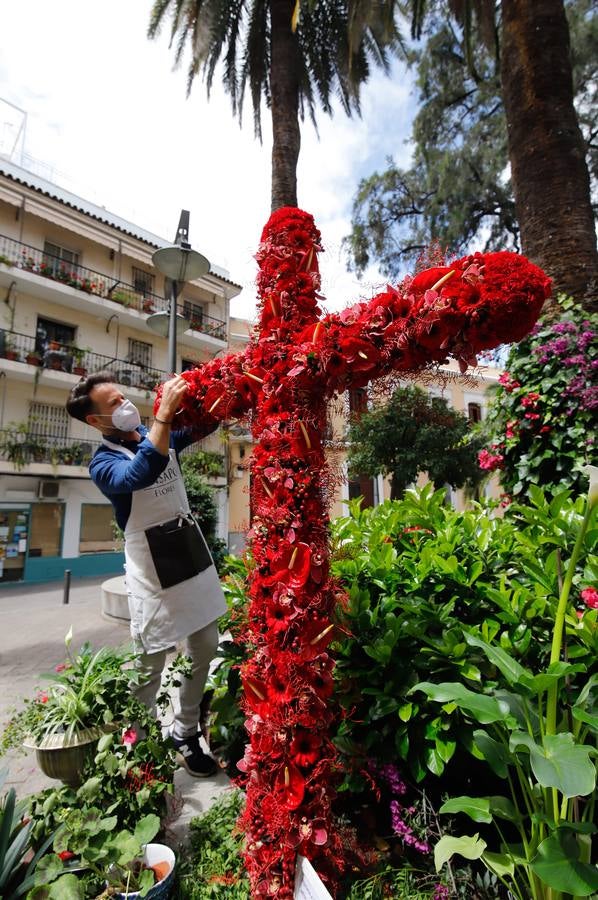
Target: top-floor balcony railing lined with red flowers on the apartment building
31 259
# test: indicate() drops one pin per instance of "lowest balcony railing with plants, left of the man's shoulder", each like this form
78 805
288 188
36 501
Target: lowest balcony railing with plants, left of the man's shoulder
22 446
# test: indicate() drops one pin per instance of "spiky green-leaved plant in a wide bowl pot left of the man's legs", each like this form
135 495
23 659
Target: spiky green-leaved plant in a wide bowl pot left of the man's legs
85 696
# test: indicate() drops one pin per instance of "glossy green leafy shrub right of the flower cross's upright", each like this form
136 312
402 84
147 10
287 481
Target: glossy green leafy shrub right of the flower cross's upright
421 576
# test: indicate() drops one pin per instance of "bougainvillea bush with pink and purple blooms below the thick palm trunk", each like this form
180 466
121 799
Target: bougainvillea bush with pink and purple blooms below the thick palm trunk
542 422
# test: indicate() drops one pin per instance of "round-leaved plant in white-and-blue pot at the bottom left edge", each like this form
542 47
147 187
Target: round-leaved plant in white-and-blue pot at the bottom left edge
91 859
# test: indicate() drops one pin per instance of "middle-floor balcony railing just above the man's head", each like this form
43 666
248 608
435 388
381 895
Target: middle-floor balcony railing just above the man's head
34 351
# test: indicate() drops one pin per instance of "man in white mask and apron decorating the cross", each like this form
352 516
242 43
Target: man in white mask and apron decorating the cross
172 585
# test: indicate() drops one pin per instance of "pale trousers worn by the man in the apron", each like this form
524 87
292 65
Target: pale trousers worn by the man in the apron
201 646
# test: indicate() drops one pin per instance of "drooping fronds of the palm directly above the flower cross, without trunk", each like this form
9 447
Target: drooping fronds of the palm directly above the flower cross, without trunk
339 41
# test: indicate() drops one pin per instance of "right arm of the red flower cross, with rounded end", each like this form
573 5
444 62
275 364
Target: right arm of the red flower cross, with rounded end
474 304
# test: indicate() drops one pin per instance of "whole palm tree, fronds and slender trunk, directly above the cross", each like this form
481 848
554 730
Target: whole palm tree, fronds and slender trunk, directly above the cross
291 56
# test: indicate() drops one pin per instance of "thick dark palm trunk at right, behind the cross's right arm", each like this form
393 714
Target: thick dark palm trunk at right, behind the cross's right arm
546 147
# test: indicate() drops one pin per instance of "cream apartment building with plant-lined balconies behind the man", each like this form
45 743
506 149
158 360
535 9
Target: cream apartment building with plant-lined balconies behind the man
77 287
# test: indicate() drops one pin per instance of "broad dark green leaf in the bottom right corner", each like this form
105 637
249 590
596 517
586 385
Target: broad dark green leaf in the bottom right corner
557 864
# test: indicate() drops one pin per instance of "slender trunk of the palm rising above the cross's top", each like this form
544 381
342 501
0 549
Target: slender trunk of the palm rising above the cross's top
284 87
